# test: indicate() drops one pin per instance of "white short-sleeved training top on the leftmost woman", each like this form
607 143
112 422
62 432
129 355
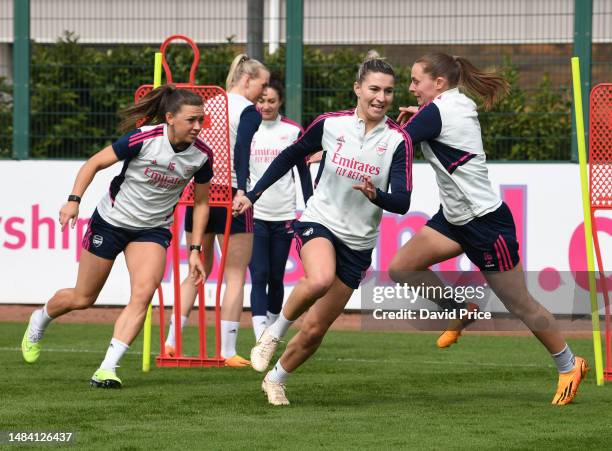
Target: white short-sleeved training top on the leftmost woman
145 193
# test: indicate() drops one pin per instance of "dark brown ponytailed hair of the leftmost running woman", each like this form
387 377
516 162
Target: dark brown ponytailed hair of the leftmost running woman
153 107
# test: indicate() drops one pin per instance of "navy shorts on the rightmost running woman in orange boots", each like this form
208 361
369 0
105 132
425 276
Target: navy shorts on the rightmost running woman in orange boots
489 241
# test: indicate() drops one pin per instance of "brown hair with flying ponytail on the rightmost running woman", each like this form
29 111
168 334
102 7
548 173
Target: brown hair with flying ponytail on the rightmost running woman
488 86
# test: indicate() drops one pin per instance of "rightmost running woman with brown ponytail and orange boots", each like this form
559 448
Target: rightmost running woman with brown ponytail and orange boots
472 218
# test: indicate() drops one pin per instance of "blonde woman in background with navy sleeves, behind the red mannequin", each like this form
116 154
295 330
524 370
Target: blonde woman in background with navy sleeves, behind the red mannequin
246 80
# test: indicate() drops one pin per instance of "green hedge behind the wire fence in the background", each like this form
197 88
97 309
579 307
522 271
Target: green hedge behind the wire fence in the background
77 90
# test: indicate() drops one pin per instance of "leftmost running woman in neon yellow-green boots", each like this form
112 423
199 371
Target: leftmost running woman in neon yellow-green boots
134 217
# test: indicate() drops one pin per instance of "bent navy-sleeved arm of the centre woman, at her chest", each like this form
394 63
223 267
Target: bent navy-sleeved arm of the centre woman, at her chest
398 200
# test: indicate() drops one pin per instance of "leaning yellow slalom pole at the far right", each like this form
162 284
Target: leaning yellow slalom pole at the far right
588 228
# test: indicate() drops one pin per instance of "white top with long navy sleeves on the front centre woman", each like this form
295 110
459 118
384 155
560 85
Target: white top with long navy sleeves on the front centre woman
350 155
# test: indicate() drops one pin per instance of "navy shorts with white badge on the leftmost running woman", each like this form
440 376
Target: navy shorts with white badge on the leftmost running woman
107 241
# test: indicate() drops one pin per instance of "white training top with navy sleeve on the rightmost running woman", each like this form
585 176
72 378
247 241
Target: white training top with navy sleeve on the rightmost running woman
449 133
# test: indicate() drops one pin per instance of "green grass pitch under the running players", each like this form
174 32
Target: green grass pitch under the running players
362 390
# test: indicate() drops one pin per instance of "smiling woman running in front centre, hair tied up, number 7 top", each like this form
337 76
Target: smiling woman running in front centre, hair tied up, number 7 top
364 154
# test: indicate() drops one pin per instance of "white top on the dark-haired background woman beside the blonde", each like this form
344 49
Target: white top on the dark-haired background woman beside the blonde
277 203
